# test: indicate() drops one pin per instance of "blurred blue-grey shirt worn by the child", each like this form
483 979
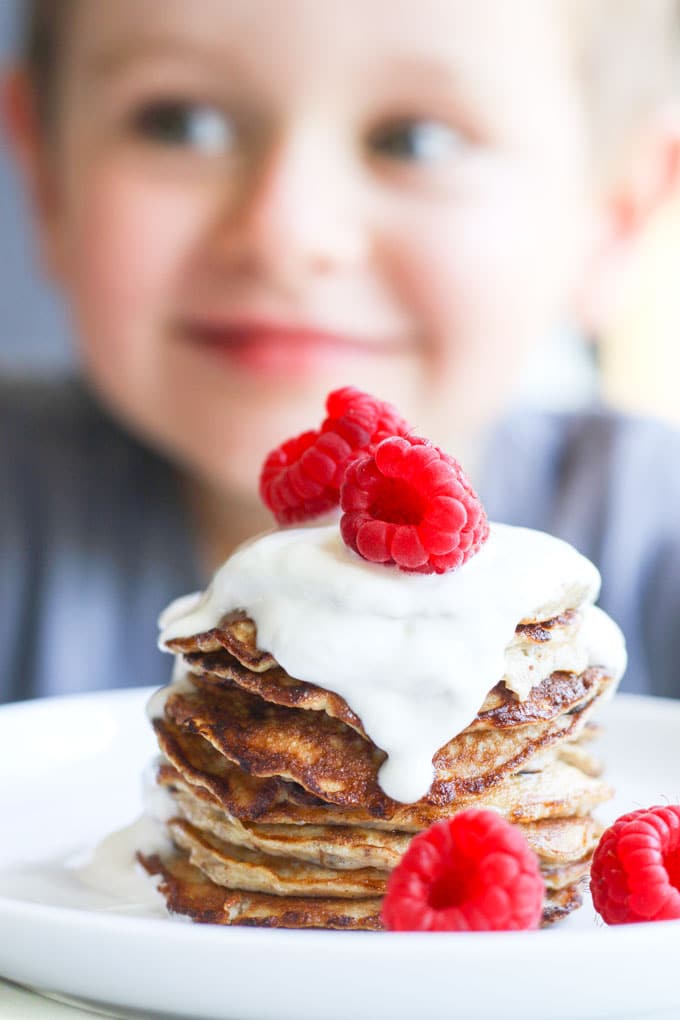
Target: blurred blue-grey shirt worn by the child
95 541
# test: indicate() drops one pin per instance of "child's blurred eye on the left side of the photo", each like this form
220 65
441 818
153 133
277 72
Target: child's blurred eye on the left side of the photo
176 123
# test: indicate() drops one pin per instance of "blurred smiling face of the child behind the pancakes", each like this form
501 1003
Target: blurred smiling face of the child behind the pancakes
256 201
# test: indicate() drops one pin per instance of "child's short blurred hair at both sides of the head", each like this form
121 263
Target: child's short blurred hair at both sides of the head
627 55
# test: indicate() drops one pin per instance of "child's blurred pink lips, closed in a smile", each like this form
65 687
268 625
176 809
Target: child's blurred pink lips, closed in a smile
268 348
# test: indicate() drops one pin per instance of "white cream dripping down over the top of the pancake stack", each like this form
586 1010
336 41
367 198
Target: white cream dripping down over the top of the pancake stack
413 655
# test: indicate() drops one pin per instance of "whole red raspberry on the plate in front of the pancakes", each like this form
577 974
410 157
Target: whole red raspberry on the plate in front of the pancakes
473 873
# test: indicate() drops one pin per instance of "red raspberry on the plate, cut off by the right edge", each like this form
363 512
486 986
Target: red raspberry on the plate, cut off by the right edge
636 872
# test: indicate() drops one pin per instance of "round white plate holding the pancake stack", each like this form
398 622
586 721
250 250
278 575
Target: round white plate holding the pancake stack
70 774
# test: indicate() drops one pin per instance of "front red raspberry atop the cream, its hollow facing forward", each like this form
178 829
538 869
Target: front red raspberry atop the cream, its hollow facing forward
409 503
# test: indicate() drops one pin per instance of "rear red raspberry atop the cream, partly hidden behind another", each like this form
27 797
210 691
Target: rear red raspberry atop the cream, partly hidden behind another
301 479
